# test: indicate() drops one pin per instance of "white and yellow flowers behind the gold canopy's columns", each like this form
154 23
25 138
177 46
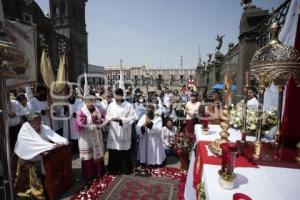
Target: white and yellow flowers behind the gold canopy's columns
269 118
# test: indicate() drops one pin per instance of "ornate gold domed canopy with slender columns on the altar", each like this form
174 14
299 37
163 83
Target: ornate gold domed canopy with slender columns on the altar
276 63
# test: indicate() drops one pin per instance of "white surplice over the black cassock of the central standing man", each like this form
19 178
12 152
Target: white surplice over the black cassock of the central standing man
119 137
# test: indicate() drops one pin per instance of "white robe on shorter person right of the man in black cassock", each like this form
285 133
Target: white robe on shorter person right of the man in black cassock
151 145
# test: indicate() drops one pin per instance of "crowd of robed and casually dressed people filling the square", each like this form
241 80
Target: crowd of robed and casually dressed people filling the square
134 127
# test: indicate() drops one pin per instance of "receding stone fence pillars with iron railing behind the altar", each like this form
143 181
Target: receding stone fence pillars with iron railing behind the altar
254 25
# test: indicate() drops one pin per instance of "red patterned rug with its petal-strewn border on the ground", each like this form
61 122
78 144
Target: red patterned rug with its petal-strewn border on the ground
100 188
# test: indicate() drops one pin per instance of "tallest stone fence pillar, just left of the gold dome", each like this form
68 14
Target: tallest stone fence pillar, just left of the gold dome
251 17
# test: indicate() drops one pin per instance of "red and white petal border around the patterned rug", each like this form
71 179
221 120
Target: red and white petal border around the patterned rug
98 186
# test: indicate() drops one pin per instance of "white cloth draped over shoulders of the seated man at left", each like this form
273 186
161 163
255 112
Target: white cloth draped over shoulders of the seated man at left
30 144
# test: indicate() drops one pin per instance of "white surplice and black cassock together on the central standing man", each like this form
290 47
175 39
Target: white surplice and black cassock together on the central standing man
119 137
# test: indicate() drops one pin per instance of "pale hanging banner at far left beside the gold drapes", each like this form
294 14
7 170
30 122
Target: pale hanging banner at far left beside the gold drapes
24 38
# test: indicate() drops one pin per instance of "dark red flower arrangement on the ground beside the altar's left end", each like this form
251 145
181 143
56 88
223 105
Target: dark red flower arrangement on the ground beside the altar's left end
184 141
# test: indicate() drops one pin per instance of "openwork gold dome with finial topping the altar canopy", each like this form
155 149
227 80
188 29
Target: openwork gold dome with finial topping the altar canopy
275 61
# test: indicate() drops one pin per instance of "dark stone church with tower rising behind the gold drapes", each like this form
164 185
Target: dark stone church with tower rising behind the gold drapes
65 23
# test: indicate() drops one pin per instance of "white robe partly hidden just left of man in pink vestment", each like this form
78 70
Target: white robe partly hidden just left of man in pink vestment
72 121
